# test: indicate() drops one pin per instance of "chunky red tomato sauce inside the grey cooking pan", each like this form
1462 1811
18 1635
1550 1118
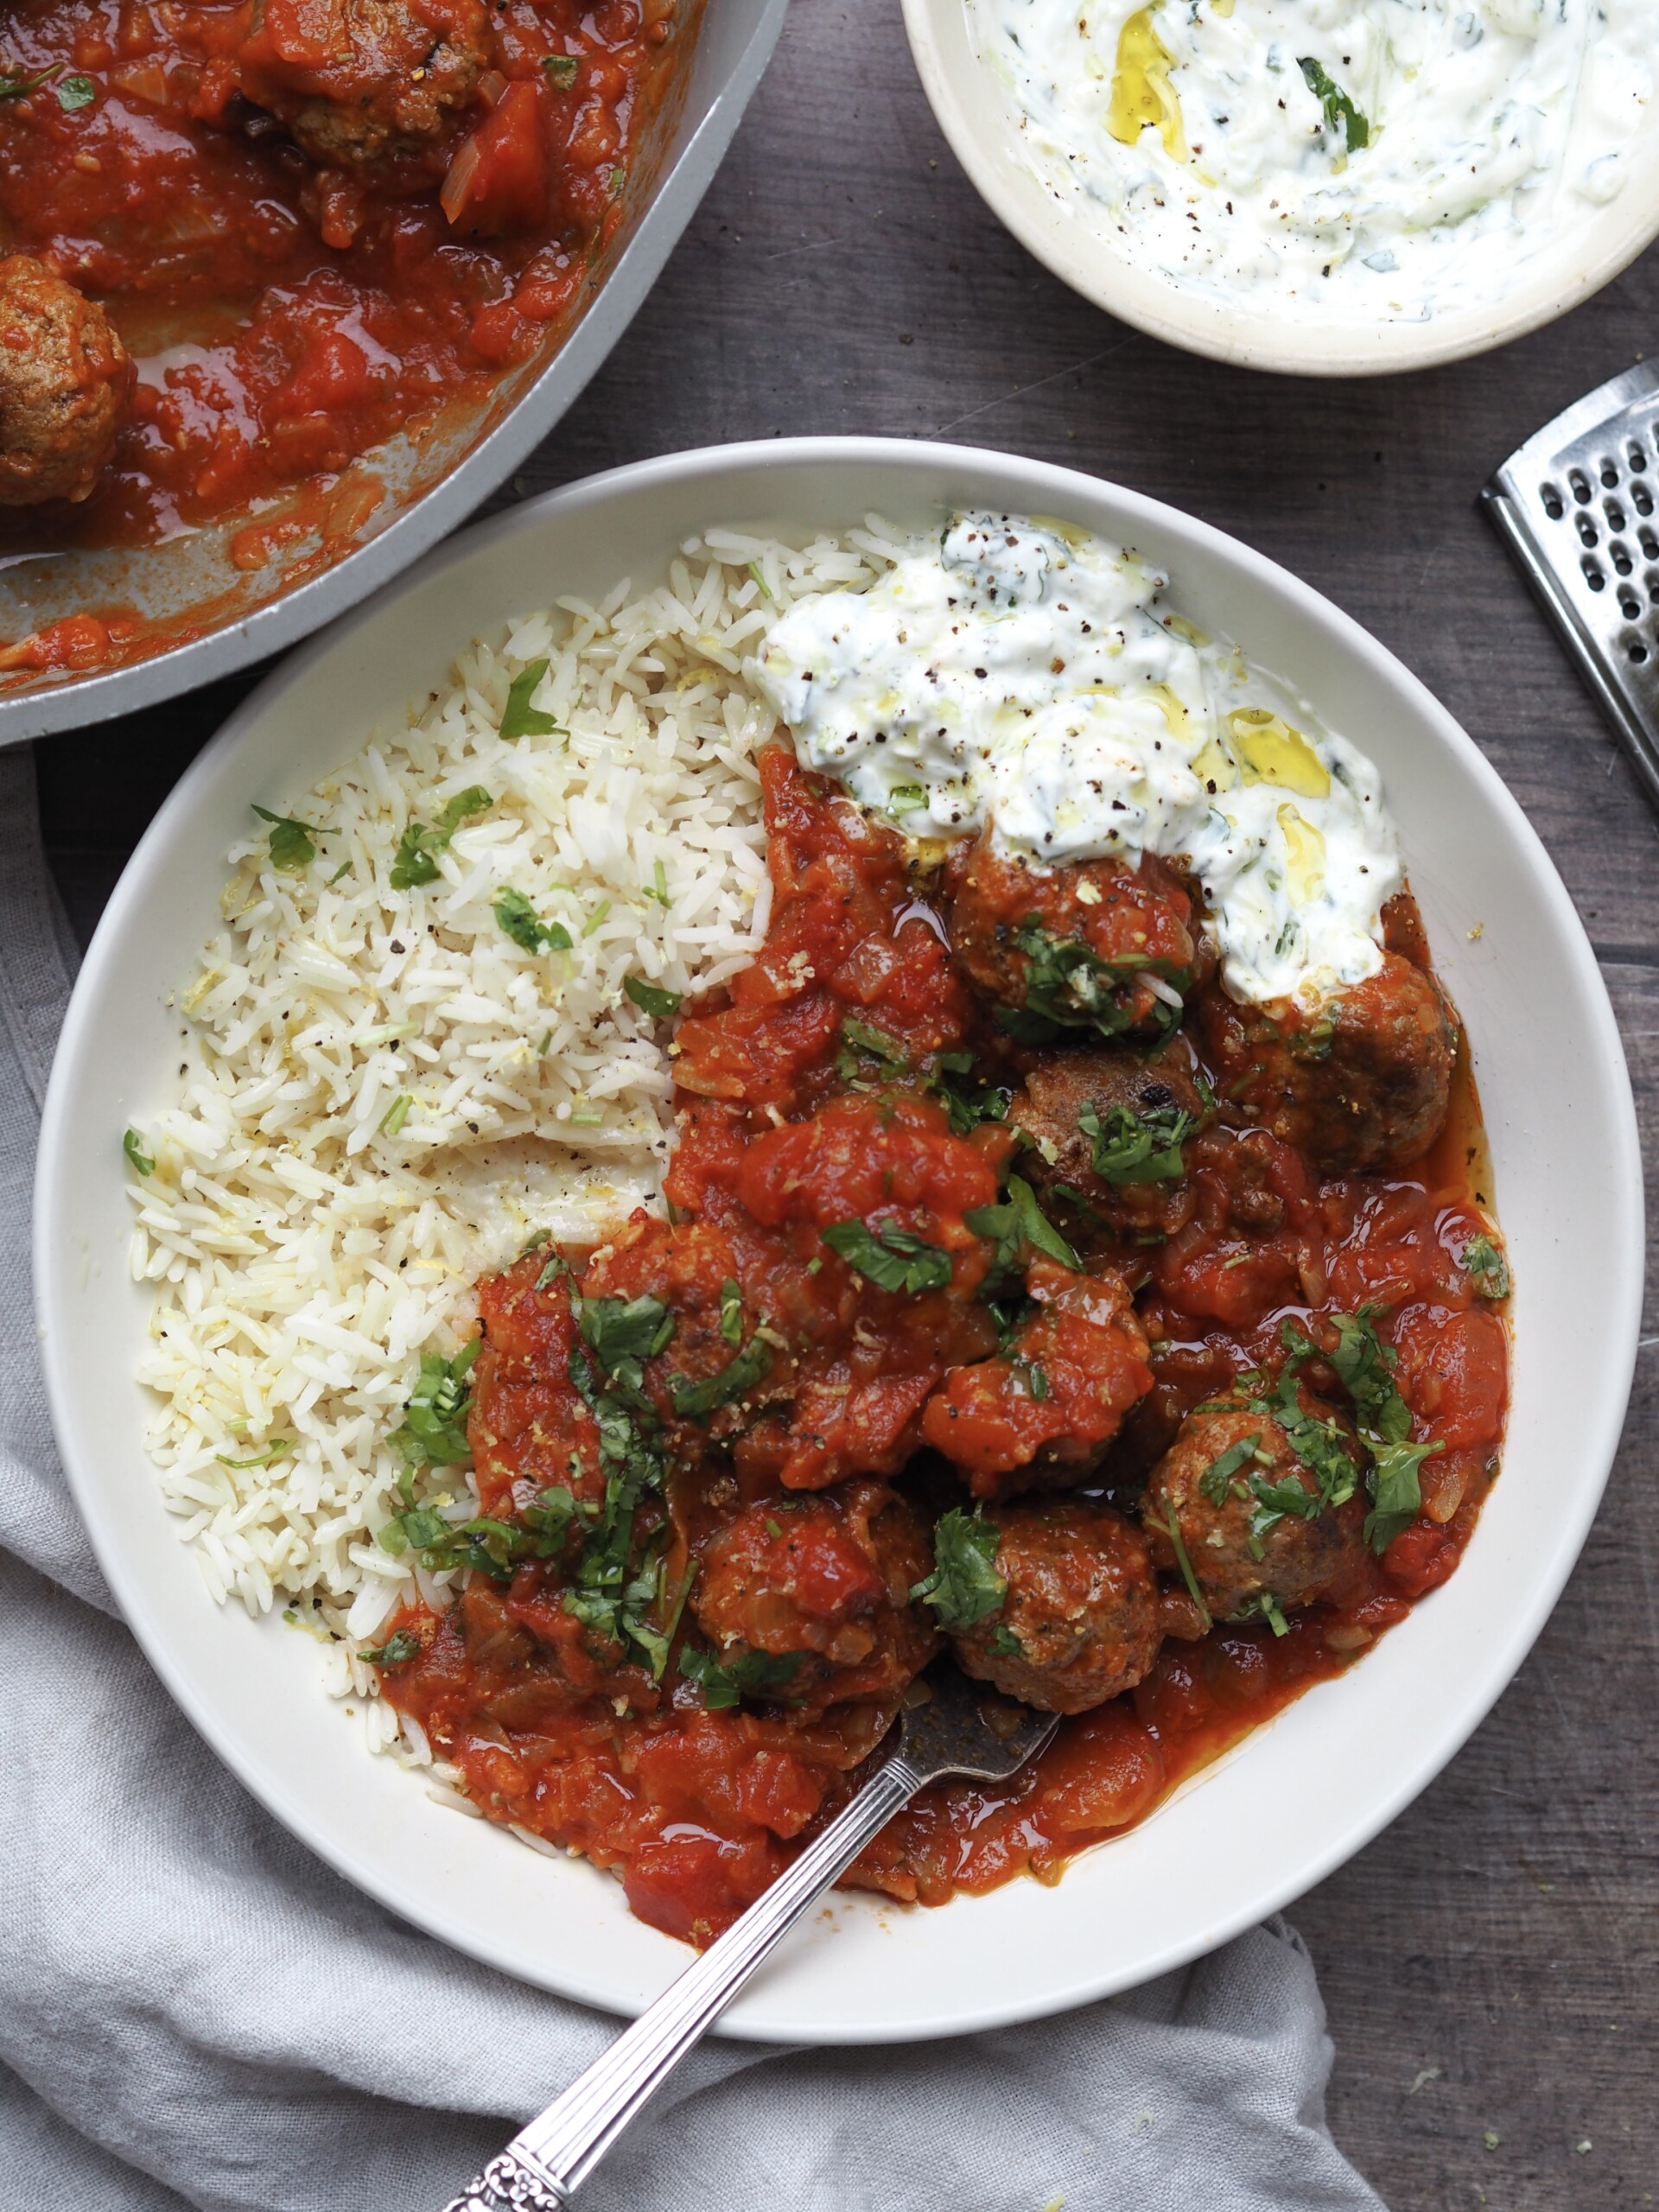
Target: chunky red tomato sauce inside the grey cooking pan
286 313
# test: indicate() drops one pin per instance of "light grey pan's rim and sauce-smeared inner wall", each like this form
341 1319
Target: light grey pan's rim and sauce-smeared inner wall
236 618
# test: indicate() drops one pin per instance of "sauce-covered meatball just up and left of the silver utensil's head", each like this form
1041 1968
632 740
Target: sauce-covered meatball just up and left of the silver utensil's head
806 1600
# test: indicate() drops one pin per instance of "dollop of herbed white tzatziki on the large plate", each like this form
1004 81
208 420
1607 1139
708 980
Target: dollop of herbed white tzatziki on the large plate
1030 678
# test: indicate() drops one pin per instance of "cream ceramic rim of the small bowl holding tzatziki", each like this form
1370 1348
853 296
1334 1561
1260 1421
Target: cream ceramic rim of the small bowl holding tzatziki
977 116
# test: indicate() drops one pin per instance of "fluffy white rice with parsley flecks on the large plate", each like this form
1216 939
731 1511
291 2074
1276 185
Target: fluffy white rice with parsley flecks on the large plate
306 1238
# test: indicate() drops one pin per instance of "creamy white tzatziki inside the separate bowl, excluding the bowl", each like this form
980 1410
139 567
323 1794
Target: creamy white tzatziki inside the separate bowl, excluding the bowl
1331 158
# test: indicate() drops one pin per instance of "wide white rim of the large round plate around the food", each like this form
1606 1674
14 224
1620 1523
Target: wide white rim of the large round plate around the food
1302 1795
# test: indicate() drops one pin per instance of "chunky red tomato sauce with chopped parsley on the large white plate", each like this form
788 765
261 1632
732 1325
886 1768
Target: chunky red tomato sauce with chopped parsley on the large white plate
851 1078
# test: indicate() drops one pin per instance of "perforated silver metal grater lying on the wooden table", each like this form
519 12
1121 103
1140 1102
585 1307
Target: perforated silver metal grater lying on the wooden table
1578 508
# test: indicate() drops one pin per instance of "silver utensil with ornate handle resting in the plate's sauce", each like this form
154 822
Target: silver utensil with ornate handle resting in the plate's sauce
954 1729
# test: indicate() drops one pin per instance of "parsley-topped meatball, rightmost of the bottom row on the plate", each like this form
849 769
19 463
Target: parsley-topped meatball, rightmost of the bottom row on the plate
1222 1490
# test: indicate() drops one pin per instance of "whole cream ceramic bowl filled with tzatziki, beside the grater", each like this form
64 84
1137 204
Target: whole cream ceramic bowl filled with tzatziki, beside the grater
1317 187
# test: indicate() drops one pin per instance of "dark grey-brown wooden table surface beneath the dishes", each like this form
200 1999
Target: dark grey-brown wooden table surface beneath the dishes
1492 1961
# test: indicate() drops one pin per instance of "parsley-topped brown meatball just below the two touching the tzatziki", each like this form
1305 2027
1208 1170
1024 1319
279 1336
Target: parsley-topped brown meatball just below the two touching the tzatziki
1116 1103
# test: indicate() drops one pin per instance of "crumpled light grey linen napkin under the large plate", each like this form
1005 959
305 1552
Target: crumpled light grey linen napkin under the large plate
196 2012
